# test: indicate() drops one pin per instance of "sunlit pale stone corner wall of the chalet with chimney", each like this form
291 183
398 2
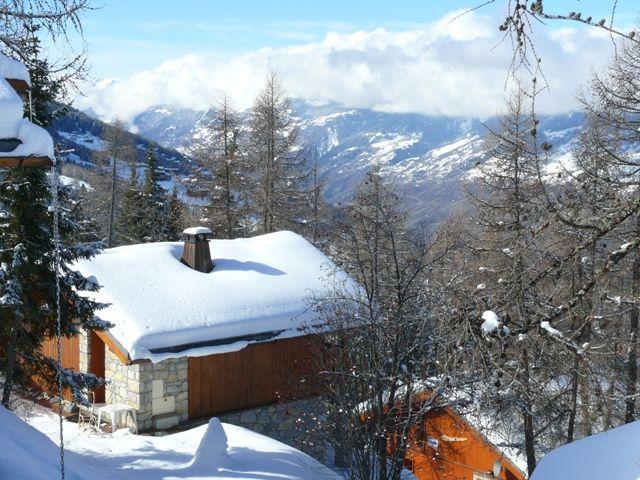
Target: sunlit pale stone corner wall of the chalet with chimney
133 385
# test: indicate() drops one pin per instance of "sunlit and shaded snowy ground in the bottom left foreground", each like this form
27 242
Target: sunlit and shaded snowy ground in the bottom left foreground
214 451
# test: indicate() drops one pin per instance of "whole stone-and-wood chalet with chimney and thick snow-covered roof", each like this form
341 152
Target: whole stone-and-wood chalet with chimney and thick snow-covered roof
205 328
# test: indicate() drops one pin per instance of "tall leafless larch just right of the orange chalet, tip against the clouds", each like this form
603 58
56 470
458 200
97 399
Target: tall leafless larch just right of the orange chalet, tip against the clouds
514 262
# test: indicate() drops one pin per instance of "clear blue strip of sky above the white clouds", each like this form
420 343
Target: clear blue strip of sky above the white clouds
125 35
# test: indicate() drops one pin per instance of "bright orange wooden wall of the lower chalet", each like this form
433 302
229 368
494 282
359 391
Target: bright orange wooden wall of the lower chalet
460 454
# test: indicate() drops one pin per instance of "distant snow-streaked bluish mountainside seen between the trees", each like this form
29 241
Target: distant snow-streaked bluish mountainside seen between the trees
427 157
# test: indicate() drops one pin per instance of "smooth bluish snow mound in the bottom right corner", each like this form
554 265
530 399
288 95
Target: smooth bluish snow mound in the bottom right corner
614 455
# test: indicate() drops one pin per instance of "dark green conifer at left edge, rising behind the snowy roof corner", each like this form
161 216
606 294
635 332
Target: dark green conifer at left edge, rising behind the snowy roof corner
28 314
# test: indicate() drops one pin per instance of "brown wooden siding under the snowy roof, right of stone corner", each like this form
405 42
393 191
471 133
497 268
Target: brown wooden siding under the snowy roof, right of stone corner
259 374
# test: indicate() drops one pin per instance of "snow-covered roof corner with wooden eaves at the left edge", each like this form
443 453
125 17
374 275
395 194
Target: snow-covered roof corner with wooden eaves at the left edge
19 138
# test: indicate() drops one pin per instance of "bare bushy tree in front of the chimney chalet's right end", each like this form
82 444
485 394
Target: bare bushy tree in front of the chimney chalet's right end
382 339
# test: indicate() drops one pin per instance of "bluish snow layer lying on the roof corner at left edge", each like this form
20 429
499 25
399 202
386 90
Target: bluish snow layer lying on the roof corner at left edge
35 140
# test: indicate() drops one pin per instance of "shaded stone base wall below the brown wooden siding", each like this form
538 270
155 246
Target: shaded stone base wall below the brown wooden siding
291 423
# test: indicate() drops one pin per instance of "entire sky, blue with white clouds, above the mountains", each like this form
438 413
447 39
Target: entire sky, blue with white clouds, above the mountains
399 56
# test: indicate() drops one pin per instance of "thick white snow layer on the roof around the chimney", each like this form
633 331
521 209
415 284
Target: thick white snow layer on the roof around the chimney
161 308
